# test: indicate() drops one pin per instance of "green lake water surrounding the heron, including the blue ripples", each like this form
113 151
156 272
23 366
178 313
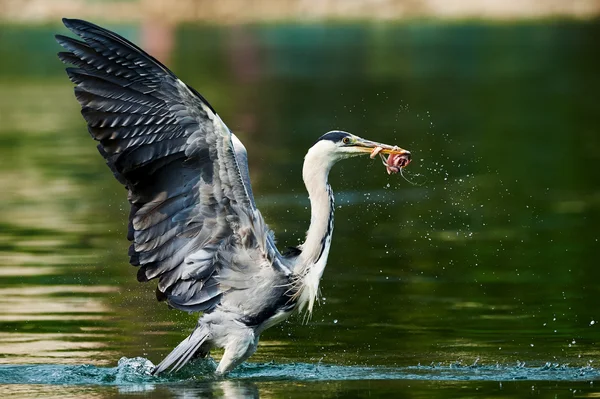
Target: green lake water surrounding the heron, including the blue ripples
483 281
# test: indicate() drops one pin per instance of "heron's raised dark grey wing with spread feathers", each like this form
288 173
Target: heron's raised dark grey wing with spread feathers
192 215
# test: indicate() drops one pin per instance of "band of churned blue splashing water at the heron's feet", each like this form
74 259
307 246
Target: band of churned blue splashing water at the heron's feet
135 372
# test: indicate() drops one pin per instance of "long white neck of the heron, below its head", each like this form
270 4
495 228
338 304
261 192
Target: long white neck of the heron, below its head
312 260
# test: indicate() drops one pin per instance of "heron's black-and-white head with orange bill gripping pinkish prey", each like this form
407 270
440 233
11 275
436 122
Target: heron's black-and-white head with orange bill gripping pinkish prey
336 145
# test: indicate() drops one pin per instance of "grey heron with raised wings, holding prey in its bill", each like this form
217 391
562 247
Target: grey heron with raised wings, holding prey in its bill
193 223
